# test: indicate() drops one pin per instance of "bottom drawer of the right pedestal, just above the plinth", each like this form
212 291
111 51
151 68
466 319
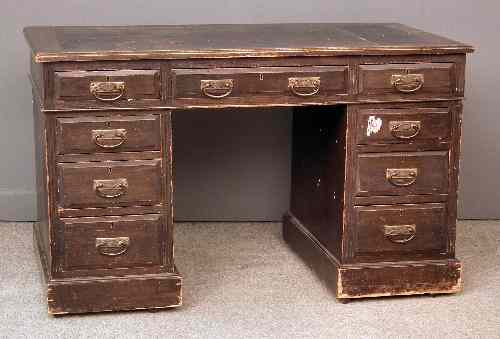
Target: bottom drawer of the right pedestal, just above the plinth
400 232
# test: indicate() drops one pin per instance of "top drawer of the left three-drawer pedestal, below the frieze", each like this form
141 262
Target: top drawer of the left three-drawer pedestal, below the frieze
108 134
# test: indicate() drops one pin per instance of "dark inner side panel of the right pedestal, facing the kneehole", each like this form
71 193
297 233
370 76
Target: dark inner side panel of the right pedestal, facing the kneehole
318 162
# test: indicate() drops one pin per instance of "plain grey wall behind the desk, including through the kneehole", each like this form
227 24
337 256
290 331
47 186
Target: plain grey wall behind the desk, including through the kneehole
243 172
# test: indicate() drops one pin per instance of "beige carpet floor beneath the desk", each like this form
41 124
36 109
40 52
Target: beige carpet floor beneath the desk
242 281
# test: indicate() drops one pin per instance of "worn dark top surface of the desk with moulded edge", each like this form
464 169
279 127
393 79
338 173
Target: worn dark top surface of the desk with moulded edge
72 43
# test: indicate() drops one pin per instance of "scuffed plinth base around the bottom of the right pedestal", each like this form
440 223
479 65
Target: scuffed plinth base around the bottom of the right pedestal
364 280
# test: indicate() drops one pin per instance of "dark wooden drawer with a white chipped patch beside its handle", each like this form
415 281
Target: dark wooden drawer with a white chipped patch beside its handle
403 126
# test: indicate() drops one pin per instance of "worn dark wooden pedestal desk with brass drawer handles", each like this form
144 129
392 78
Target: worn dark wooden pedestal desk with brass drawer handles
376 137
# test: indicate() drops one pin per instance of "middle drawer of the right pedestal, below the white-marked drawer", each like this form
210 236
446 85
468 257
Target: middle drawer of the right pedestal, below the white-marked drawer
383 174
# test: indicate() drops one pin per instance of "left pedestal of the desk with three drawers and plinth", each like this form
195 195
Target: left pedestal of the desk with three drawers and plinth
104 234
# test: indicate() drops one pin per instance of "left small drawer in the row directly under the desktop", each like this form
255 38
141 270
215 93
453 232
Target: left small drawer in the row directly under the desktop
102 85
